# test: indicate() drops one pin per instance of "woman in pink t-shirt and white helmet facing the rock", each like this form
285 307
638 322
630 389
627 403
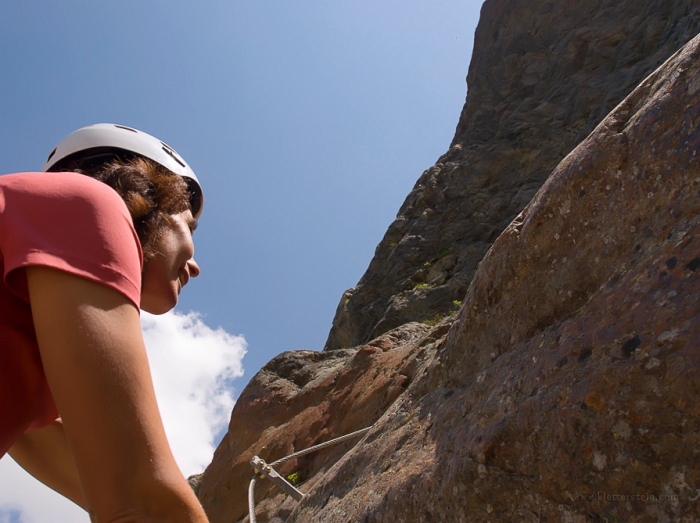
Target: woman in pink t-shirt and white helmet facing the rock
80 255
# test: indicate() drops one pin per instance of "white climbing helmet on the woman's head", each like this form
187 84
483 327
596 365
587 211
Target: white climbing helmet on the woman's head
103 139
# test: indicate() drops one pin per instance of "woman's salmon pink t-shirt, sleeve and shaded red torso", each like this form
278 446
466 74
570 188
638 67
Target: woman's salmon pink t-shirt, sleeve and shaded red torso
69 222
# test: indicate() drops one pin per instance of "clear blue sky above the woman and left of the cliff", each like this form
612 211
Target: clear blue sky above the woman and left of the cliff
308 123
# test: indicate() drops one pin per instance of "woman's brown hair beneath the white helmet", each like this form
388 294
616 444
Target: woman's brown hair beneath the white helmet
151 192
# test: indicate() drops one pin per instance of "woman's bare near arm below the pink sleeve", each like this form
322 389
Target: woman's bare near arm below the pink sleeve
95 362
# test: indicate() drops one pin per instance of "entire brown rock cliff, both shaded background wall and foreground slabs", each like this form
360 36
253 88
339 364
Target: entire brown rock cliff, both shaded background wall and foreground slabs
565 388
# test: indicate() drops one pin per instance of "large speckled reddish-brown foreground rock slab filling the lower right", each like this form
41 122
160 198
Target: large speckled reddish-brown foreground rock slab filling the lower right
567 388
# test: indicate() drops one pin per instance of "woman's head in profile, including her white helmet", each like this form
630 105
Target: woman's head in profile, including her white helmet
164 205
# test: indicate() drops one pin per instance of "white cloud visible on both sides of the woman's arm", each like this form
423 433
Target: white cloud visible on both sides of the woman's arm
192 367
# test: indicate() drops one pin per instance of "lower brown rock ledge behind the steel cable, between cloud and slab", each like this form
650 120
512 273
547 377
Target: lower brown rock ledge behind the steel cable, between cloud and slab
301 398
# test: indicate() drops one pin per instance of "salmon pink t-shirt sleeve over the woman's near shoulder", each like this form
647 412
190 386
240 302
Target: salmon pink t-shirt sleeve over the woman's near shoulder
69 222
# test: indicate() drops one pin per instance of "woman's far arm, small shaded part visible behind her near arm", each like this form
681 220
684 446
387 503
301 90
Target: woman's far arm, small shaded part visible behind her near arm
46 456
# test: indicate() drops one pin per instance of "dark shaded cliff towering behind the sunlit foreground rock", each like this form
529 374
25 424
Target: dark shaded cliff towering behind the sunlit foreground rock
543 74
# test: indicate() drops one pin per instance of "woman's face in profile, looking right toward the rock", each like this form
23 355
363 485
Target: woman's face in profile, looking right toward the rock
172 267
